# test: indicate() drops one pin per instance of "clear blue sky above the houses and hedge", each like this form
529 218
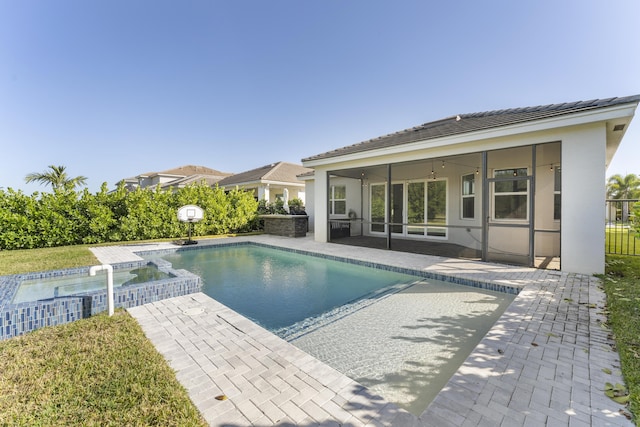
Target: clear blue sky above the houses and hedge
114 88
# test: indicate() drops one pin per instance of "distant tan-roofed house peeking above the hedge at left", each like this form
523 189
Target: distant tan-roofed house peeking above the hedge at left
176 178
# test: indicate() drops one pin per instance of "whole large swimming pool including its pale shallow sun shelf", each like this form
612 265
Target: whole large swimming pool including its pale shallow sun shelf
402 336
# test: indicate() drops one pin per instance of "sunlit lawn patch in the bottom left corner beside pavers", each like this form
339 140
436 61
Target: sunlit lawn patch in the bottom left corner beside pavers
96 371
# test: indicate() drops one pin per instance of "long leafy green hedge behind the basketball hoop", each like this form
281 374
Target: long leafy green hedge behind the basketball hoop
67 217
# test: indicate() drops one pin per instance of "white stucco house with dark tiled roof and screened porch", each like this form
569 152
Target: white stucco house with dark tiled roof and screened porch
512 185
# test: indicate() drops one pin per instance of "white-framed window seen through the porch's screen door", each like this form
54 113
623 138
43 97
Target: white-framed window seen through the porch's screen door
511 194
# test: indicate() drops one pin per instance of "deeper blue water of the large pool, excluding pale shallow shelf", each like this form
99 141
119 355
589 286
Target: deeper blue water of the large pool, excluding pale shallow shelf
277 289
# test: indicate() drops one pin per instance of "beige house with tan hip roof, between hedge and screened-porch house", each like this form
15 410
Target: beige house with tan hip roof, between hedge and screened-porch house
270 181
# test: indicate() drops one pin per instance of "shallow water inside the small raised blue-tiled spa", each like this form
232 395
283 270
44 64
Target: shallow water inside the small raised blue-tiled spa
67 285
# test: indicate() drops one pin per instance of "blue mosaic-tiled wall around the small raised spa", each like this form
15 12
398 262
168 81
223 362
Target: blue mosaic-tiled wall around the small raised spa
18 319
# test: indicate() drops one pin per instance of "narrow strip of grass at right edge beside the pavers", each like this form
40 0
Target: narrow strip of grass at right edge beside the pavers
622 286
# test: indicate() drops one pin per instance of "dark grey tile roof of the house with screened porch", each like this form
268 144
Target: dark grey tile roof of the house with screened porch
465 123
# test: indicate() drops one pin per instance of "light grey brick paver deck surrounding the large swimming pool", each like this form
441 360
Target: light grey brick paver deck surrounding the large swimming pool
546 360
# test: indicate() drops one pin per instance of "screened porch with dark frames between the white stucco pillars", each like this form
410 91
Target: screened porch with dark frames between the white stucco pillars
501 205
